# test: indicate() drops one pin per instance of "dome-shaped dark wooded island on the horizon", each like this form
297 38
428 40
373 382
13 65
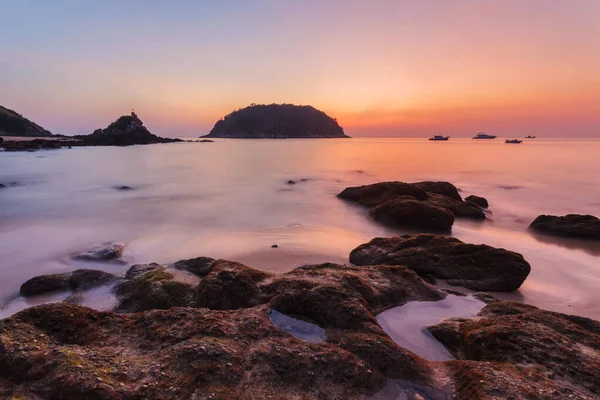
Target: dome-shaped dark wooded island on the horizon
277 121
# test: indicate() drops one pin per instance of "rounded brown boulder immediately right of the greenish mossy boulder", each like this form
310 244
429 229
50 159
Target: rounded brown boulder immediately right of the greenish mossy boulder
229 286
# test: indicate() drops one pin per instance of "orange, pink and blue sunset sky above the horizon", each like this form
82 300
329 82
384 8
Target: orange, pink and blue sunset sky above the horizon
381 67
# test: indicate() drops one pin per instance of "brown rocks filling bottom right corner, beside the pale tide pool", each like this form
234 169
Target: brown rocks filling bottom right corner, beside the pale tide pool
515 343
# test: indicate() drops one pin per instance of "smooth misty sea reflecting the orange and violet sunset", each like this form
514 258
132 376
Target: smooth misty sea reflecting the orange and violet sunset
229 199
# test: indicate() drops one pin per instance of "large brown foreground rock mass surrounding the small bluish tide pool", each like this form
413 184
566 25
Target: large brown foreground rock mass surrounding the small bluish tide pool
228 348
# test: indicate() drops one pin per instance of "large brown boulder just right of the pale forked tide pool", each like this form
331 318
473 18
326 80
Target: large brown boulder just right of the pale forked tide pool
564 348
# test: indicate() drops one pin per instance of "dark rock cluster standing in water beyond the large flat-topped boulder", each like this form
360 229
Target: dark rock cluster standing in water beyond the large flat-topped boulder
425 205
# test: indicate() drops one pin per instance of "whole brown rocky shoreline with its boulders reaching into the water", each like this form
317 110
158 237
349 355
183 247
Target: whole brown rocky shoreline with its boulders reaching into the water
230 331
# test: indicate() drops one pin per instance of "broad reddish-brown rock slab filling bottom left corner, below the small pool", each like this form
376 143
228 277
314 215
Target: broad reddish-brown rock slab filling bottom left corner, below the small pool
173 354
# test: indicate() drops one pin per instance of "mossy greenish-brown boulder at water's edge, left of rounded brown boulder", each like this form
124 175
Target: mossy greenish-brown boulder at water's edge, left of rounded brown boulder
150 290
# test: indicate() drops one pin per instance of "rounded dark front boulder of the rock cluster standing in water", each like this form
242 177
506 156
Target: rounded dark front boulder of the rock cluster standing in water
412 213
